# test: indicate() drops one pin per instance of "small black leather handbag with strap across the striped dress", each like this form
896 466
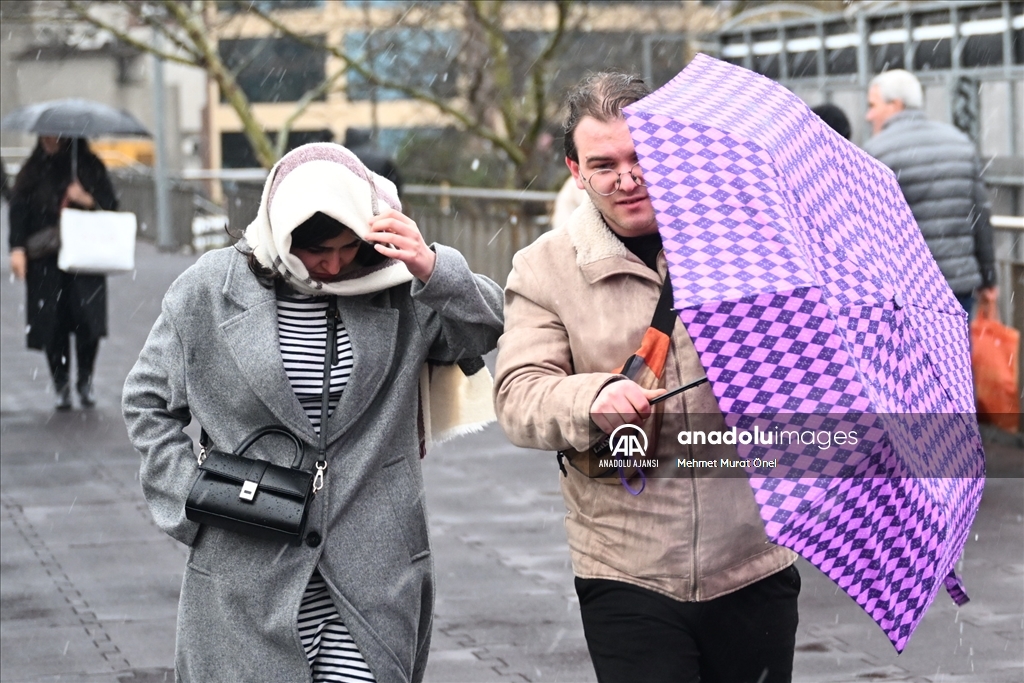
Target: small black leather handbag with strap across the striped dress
255 497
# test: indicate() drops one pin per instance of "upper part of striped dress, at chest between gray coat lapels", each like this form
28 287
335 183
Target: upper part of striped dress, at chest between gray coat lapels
303 330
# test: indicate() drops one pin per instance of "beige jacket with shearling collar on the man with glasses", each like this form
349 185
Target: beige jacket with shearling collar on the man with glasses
577 307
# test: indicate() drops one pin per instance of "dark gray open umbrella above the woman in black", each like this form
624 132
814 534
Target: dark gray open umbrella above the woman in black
73 118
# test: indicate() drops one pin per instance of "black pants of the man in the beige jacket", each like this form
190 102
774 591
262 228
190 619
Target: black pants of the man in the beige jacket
635 634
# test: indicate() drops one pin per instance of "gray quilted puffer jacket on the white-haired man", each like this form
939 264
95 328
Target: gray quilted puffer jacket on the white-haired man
938 169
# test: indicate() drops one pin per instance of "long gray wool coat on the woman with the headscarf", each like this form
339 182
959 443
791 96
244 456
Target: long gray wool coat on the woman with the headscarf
214 355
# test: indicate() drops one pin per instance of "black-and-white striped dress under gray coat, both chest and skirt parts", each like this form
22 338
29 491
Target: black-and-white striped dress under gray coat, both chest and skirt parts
332 653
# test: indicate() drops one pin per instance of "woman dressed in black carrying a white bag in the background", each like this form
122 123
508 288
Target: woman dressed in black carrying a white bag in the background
59 304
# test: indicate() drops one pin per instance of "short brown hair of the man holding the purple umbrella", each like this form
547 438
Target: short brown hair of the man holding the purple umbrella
603 97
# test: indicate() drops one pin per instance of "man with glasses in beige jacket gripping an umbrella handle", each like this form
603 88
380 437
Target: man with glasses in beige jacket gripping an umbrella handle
678 583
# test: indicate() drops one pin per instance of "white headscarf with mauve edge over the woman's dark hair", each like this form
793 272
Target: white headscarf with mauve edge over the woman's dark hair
329 179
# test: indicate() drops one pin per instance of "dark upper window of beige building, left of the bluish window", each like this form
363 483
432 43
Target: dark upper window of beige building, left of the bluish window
274 70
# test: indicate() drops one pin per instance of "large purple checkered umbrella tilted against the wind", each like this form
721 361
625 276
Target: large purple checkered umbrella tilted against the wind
817 309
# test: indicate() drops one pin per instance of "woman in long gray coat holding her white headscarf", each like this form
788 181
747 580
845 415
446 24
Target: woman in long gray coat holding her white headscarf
237 334
